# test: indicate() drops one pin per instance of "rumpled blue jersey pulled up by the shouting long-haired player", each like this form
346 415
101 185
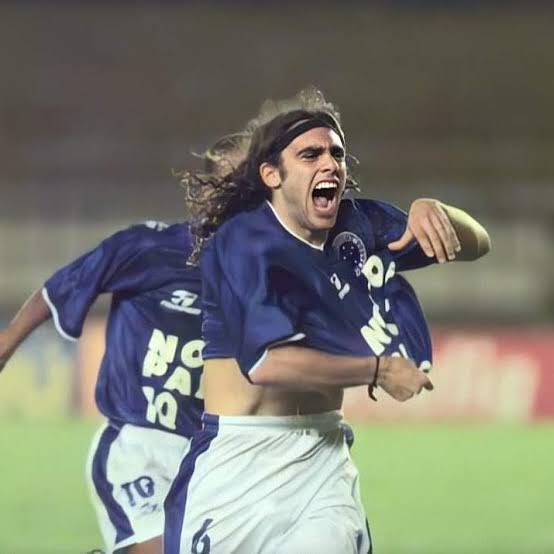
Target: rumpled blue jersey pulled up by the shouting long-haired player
264 286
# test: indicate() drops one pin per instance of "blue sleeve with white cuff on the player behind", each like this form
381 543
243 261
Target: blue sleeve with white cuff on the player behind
115 265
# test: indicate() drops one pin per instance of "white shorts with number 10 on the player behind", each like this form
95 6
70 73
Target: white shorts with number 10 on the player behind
129 471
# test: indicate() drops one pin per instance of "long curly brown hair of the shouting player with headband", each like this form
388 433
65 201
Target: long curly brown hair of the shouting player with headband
230 182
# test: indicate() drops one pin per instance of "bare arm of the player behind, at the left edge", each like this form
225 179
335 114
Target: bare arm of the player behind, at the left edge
33 312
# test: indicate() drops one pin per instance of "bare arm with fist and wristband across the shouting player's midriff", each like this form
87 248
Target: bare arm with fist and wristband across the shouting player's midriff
302 368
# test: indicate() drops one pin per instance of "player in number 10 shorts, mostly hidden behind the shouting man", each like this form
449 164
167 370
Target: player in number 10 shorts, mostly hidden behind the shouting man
149 383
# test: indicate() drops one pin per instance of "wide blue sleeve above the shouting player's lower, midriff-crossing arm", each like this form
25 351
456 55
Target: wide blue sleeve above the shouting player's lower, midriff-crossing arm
249 303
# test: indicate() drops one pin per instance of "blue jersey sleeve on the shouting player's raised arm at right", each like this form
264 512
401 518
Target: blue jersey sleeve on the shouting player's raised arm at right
388 224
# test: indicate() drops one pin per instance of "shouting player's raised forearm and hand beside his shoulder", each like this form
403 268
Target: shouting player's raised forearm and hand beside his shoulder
444 232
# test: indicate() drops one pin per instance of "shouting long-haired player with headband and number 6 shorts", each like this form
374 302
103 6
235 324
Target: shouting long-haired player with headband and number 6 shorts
286 325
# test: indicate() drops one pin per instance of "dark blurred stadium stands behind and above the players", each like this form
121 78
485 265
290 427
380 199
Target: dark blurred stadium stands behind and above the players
452 99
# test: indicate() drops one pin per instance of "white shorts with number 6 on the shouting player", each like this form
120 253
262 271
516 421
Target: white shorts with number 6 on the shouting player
260 485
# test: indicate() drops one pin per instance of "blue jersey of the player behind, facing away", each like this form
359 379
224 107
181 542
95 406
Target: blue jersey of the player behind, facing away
151 371
